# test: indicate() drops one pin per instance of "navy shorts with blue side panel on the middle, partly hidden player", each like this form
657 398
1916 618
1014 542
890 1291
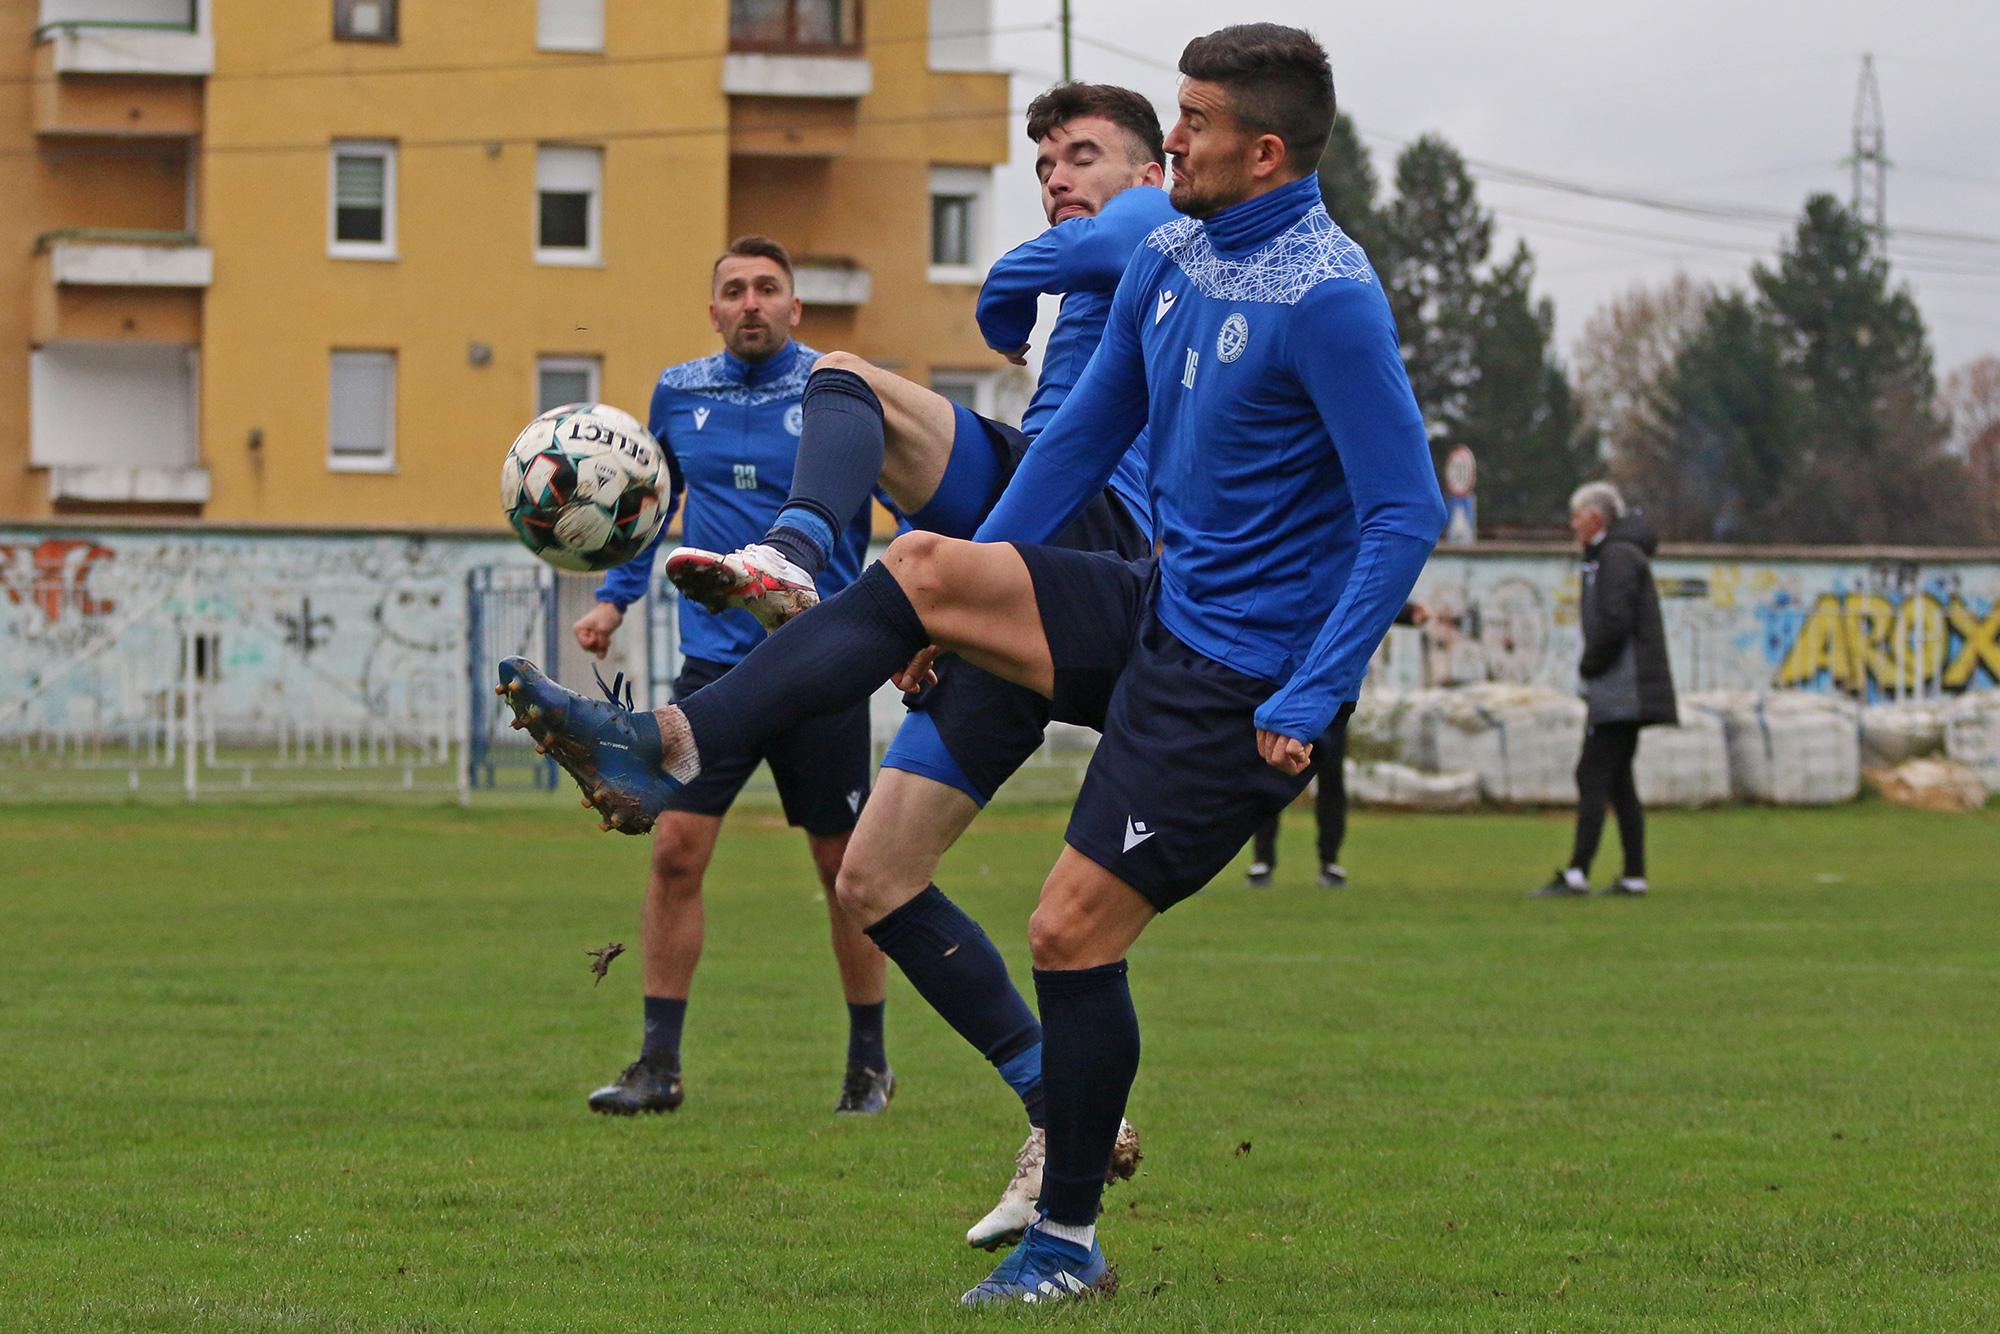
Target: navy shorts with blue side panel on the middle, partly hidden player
973 731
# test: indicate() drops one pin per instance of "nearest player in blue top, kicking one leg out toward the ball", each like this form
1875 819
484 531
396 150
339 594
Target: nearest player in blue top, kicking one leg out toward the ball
1293 487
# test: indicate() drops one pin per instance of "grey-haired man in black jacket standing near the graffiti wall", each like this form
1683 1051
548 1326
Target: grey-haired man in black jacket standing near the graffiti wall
1627 681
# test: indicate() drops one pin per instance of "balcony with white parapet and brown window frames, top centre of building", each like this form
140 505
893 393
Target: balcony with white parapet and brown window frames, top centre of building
797 49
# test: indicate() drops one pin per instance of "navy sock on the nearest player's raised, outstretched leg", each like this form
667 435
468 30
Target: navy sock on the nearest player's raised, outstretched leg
827 661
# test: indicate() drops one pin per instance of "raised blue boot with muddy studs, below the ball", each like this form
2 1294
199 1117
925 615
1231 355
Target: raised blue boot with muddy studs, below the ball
609 749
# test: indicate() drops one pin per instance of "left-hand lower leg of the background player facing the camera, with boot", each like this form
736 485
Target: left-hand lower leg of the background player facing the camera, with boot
671 943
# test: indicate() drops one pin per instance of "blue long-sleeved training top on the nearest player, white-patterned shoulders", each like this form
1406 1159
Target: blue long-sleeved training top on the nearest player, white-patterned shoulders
1291 471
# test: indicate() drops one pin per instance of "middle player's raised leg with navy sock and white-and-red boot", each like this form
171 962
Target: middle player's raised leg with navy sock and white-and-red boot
883 431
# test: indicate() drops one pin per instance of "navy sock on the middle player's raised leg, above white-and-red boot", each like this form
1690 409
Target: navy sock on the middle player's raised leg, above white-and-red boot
839 461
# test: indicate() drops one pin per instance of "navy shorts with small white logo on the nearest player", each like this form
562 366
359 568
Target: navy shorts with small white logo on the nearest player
1177 785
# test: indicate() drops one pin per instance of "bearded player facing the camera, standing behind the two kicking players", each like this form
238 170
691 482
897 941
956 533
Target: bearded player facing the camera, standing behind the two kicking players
729 425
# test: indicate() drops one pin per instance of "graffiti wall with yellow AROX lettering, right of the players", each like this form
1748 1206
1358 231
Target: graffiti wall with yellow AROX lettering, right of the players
1859 627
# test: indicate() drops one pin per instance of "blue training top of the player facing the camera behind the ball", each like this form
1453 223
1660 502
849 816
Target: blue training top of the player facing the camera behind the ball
731 433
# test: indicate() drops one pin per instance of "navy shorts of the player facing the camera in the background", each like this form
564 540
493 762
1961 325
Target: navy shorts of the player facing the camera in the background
821 765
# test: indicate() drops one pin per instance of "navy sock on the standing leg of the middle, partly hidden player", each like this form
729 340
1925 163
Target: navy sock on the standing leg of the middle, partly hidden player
957 969
